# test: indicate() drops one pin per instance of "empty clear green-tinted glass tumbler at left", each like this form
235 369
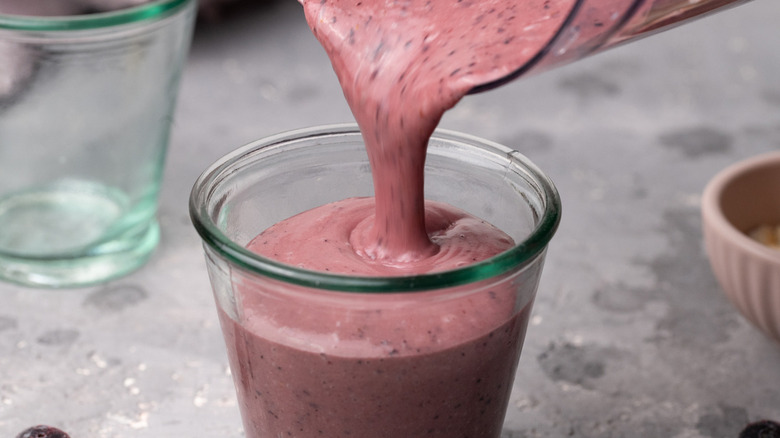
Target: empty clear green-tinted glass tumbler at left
87 94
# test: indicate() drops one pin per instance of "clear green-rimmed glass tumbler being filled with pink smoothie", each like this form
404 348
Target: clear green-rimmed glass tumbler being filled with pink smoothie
315 354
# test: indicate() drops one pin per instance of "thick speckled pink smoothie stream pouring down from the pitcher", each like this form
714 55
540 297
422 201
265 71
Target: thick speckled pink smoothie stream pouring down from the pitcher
401 65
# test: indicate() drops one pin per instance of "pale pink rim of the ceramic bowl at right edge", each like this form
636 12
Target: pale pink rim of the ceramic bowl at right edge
712 213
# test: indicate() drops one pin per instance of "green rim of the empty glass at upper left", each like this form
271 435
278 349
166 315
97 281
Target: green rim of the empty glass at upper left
135 14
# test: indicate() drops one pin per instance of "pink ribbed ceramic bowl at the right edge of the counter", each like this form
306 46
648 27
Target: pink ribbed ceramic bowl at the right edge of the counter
739 199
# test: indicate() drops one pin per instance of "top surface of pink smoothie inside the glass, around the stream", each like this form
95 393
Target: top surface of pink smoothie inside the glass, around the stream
337 238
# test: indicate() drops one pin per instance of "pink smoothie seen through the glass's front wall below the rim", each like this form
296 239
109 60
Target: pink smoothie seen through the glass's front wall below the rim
379 366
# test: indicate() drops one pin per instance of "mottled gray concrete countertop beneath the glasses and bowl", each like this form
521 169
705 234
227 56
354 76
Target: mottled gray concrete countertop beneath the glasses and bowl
631 335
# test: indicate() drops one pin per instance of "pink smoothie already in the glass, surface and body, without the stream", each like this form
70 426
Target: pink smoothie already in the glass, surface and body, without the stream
316 363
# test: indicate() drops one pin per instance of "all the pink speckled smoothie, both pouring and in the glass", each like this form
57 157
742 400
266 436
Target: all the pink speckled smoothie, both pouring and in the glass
396 365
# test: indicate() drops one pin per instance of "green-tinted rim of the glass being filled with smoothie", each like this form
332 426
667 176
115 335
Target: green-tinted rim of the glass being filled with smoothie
519 255
